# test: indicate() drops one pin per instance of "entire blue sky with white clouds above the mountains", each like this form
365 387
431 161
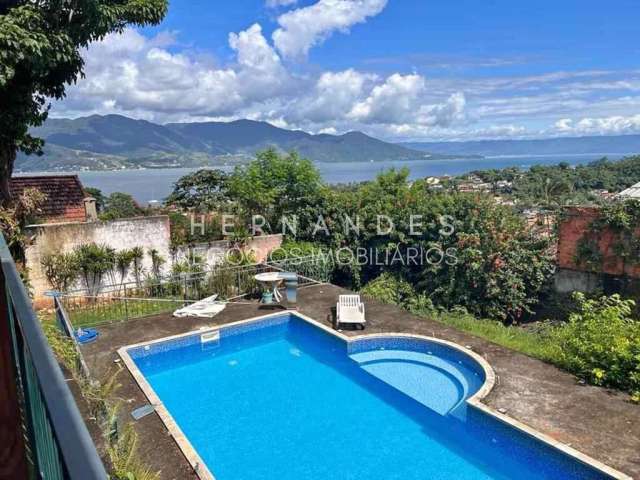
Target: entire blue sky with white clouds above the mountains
396 69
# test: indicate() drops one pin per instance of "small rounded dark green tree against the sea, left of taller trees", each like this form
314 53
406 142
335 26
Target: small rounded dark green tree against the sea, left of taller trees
204 190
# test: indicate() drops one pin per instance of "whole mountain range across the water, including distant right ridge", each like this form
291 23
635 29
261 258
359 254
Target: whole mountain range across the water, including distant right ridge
109 142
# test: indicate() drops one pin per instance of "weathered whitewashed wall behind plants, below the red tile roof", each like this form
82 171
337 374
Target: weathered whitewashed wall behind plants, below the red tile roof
145 232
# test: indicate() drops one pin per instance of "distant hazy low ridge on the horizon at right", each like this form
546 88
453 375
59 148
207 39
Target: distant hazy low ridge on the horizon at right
614 144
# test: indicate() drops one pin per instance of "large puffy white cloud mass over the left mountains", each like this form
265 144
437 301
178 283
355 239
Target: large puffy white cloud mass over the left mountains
130 73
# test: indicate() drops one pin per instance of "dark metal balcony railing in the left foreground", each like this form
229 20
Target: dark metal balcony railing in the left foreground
48 438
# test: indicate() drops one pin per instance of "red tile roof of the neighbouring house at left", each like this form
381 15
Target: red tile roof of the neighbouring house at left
65 196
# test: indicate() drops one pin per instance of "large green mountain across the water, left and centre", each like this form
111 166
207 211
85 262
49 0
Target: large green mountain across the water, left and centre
113 141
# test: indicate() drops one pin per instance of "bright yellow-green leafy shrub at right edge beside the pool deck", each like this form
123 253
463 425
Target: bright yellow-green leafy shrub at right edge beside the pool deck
601 343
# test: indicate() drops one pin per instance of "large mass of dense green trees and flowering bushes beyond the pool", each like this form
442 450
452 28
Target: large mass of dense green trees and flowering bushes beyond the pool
453 248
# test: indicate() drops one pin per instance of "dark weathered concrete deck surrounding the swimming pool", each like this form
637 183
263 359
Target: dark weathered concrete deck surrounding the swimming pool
597 422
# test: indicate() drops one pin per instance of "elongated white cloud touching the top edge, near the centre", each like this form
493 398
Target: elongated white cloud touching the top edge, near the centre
305 27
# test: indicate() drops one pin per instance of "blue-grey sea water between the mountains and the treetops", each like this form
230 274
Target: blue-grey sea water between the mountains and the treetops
156 184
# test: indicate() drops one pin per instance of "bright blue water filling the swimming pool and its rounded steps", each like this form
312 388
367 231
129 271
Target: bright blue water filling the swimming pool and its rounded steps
283 399
